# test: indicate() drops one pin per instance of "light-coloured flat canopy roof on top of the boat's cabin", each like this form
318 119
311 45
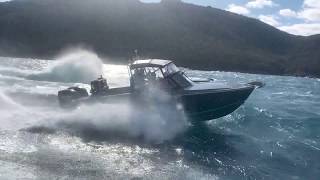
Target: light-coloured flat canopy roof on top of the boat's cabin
150 63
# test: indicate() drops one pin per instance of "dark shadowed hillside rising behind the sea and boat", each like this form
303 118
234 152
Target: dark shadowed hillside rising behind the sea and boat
193 36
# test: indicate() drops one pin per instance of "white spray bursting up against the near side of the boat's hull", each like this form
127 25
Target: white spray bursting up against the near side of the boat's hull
156 120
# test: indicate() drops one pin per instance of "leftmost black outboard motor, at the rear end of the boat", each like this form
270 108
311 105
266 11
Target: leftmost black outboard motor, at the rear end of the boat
66 97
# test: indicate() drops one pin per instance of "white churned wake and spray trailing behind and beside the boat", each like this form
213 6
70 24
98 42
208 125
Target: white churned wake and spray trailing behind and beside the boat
95 122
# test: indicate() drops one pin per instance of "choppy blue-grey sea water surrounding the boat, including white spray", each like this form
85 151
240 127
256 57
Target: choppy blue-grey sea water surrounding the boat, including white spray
274 135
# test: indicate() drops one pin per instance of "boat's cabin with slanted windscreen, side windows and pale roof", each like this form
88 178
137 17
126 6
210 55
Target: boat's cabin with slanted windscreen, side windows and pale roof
156 72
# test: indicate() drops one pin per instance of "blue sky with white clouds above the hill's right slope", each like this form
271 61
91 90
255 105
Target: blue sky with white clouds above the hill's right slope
299 17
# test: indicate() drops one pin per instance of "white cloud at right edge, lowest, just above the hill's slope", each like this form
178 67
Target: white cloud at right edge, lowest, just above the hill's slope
302 29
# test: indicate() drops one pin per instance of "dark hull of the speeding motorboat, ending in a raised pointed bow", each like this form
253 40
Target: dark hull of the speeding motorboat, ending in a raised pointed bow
198 105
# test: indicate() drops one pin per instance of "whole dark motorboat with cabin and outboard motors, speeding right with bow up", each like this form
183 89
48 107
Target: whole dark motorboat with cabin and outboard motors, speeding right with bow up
200 100
